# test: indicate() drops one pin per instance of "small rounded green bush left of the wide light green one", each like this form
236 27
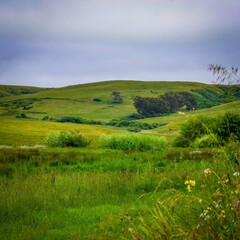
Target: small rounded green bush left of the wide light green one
67 139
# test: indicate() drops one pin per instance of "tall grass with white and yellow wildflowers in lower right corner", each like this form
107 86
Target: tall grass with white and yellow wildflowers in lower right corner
209 209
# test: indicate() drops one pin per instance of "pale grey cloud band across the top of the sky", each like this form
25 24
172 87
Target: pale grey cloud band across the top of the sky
119 20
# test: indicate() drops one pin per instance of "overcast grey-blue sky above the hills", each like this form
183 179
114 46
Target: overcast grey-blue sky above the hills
53 43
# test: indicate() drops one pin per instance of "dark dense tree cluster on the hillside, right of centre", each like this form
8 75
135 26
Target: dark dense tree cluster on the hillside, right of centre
170 102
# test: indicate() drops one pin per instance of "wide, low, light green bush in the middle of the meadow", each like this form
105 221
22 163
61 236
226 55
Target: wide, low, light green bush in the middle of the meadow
134 142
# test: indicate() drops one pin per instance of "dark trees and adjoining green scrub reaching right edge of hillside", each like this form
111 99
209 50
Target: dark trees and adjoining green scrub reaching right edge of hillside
172 102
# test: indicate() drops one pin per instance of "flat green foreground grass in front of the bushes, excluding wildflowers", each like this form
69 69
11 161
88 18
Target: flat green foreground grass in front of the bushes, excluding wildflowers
94 194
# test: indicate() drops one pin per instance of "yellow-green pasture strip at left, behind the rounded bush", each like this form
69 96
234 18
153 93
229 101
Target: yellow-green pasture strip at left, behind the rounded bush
18 132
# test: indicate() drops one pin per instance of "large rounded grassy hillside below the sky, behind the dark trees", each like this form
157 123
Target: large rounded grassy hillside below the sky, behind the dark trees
79 101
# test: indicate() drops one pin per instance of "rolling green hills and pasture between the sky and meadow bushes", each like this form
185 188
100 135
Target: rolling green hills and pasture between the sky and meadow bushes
78 101
